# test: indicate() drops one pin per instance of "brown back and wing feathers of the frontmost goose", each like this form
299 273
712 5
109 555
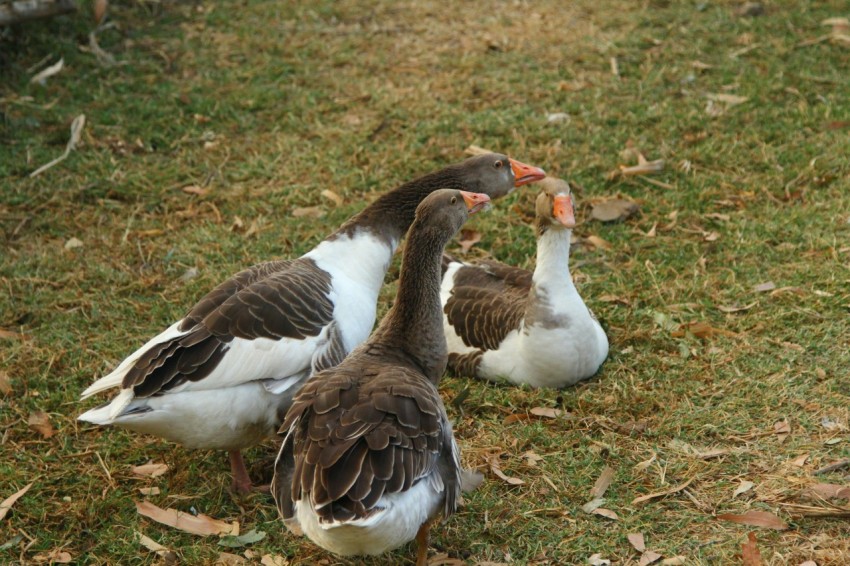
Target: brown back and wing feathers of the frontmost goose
374 443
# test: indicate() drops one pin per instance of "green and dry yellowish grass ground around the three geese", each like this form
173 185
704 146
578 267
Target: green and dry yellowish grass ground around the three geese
263 105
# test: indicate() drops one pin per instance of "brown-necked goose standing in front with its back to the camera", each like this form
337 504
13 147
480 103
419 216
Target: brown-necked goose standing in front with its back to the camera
369 457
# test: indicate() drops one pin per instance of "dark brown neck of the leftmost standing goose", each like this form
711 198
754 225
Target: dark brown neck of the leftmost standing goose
391 215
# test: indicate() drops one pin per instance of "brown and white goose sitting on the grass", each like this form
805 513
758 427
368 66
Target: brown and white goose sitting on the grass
506 323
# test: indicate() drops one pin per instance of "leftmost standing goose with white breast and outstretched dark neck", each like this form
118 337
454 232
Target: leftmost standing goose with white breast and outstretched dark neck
223 376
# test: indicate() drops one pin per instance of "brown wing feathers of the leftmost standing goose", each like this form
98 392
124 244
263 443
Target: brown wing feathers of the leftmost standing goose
276 300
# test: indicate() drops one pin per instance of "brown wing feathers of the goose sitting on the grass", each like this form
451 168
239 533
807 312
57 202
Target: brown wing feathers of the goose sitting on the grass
487 302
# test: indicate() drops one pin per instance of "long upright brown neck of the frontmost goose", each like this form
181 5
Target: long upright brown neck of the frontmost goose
415 322
